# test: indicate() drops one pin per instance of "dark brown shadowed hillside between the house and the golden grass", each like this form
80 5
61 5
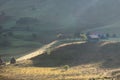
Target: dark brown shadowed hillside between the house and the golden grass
79 54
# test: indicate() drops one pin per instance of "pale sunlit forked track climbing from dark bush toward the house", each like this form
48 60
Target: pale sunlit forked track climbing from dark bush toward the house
44 49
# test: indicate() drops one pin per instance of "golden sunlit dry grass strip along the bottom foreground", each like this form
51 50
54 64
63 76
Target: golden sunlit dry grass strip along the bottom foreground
83 72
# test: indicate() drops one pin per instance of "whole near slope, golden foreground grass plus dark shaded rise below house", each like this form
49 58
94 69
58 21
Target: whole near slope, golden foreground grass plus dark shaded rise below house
97 65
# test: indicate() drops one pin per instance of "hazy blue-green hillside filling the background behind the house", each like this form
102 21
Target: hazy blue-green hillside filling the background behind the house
39 21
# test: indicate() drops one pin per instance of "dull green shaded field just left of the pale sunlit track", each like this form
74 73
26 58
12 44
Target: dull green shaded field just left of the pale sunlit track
19 48
